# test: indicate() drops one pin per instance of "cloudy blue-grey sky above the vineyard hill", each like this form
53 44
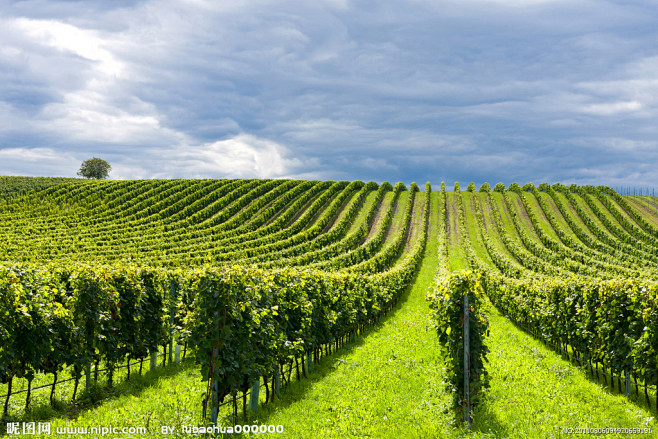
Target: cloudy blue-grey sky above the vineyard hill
417 90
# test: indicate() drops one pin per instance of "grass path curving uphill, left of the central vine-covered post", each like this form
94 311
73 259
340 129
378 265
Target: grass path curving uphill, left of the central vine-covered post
387 384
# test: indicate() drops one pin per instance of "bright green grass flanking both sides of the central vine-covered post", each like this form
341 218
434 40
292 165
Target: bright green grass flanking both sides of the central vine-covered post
389 384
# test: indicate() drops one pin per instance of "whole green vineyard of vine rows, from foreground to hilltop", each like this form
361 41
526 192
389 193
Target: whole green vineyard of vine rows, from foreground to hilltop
261 281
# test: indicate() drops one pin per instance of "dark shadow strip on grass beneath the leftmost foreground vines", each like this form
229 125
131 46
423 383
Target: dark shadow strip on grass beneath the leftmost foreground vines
95 396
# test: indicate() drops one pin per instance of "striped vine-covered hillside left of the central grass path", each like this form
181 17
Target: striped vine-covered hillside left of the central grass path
194 222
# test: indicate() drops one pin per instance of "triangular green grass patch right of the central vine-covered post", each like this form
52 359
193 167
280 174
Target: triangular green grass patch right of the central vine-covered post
535 393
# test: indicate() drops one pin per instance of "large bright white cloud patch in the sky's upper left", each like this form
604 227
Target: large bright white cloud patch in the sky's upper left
97 107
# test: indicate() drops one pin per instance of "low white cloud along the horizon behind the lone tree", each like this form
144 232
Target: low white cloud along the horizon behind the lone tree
243 156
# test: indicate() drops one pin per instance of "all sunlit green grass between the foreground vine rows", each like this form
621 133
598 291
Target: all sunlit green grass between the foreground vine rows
388 384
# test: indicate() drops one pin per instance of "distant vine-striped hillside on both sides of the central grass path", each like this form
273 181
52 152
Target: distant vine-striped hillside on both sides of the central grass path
322 224
